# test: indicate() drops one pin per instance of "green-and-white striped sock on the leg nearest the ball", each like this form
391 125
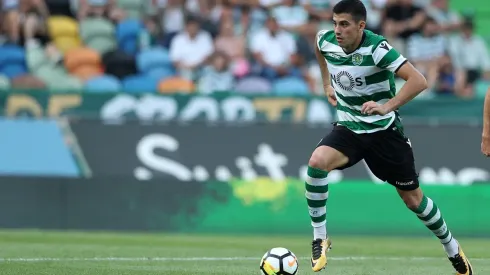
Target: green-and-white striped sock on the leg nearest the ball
316 186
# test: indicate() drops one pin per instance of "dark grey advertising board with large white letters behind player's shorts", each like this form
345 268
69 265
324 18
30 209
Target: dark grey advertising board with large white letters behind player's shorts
196 151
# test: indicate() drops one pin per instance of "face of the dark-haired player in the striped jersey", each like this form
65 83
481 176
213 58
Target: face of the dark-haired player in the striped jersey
347 30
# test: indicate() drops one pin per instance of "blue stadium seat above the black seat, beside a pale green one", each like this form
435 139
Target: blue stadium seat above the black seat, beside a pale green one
127 33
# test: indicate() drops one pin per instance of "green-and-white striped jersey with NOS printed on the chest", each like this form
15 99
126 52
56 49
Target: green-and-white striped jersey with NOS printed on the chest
361 76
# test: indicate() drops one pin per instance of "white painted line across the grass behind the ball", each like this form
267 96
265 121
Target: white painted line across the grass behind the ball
170 259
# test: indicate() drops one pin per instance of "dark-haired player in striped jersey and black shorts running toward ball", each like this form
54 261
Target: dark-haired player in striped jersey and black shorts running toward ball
358 69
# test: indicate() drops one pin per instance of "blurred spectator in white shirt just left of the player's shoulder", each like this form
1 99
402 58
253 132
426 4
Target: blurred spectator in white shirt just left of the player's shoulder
274 50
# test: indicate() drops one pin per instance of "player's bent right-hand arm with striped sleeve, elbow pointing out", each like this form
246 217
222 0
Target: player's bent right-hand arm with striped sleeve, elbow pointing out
387 58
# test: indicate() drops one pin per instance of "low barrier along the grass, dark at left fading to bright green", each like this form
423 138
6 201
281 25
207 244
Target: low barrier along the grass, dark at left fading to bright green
258 206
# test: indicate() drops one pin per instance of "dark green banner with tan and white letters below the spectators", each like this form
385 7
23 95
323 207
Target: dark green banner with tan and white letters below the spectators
217 107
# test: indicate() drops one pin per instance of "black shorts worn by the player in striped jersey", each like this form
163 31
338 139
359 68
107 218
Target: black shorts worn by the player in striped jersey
388 154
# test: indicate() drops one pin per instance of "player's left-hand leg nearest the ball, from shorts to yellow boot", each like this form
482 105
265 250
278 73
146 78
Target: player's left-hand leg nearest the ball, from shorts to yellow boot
338 150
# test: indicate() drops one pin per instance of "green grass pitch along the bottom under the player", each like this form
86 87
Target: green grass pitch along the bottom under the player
74 253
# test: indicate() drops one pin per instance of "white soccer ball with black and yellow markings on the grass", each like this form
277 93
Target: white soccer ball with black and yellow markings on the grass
279 261
